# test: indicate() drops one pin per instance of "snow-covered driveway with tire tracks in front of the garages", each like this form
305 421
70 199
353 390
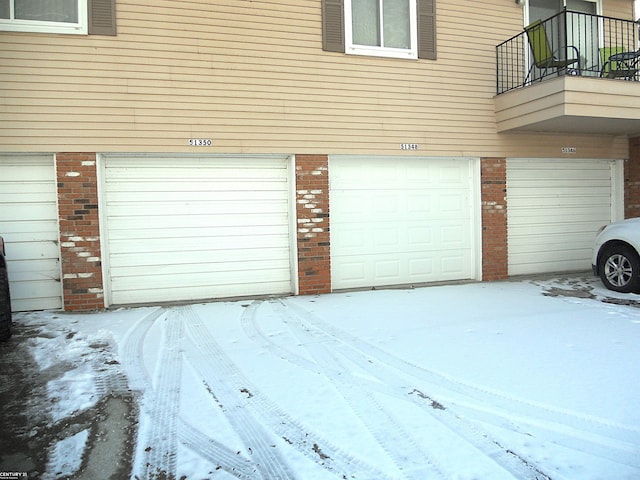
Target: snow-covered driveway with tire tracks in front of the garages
531 379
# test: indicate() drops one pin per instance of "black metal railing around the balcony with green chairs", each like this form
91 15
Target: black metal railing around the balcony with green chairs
569 43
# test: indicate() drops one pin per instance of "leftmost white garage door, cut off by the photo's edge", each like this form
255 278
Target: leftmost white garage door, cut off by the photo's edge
29 226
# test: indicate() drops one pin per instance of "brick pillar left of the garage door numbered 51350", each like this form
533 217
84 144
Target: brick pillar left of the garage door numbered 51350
79 231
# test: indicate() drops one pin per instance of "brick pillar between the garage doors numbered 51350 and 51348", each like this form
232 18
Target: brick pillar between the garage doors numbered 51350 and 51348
312 212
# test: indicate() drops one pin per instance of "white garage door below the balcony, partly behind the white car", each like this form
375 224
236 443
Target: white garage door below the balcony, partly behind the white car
555 208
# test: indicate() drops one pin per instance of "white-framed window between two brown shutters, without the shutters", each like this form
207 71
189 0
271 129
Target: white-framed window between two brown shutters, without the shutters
381 27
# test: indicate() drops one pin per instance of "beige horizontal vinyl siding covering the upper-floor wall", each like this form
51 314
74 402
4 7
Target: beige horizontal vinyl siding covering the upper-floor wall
253 77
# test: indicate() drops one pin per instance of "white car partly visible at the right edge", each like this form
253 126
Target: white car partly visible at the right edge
615 256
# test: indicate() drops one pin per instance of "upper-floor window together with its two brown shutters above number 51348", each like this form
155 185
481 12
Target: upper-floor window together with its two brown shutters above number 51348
383 28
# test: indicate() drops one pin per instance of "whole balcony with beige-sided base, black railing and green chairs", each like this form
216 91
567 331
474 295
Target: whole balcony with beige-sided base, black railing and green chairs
571 73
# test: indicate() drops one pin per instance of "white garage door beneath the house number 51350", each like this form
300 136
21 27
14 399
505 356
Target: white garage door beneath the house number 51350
187 228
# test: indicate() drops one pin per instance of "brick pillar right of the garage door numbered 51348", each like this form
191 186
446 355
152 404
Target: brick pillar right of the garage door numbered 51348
494 218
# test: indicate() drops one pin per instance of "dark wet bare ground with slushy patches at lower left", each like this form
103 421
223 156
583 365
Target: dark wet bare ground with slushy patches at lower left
30 429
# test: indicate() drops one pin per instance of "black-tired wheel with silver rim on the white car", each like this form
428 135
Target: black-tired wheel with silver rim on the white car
619 269
